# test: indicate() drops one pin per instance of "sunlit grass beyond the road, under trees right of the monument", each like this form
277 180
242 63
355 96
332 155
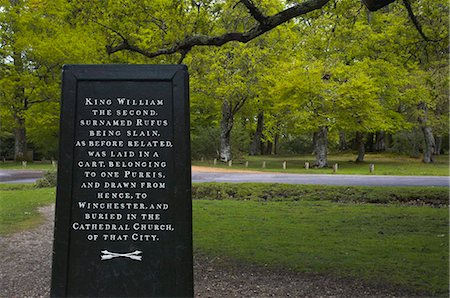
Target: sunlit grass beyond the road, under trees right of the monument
385 164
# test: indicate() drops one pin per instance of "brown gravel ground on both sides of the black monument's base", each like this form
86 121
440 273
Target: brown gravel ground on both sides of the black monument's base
26 264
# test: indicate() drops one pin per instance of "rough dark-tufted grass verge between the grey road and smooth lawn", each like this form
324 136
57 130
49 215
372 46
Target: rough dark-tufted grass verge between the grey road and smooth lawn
434 196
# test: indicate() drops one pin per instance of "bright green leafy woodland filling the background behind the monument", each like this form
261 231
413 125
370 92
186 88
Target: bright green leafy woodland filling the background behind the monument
337 77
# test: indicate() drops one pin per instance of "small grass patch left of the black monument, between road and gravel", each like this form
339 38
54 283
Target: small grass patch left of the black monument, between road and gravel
18 206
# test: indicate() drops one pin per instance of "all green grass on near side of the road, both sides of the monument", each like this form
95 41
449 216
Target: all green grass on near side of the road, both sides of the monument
385 243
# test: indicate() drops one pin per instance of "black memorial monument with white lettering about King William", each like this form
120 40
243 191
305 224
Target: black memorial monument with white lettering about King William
123 213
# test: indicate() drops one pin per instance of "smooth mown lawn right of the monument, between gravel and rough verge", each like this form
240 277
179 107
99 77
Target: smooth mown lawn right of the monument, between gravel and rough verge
399 245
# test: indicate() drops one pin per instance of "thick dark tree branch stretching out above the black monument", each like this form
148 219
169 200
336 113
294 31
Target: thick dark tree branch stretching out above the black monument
265 24
